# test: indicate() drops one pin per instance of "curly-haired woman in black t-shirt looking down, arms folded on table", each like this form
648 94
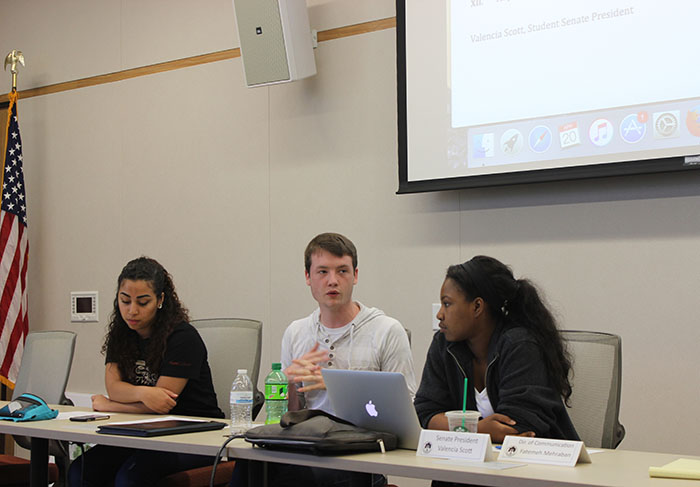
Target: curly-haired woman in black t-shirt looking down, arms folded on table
156 362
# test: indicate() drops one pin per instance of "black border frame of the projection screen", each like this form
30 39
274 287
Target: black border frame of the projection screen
624 168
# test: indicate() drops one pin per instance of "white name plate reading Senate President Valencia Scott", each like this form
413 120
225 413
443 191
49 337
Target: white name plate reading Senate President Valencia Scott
475 447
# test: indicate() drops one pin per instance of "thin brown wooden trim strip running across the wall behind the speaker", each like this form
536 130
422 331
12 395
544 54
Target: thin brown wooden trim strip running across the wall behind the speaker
323 36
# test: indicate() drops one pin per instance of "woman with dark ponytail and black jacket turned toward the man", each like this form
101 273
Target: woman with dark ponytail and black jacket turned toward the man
496 331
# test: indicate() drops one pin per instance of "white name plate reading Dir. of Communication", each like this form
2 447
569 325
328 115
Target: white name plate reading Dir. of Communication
543 450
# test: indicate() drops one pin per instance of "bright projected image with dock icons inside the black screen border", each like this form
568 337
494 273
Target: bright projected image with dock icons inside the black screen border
502 87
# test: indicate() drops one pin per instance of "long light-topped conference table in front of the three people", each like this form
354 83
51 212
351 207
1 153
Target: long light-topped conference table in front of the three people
609 468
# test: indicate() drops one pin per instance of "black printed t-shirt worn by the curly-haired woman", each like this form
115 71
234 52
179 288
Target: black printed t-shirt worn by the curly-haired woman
185 357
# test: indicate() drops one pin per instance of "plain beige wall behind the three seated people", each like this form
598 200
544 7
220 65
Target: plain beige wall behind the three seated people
225 185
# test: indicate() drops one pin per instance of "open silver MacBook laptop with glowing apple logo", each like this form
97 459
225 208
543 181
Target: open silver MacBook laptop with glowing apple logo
377 401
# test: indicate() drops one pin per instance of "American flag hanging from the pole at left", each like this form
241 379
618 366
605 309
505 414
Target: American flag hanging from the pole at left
14 253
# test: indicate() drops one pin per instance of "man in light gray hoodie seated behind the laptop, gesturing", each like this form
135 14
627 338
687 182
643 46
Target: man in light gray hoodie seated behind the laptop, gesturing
340 333
